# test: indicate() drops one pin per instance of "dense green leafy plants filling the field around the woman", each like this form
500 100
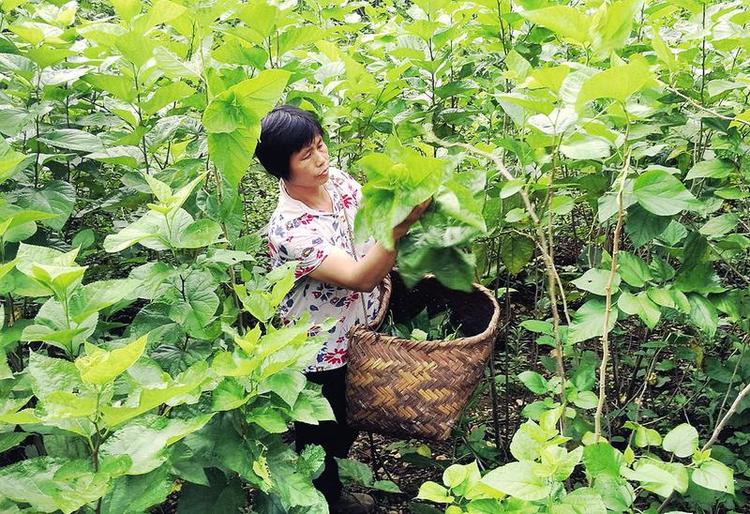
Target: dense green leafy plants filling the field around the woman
139 326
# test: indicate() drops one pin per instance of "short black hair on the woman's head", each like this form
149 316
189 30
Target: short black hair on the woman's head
284 131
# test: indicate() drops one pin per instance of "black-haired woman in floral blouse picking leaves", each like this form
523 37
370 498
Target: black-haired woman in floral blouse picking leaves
312 224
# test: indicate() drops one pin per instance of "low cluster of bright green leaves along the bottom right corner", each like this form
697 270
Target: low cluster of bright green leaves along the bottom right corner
538 480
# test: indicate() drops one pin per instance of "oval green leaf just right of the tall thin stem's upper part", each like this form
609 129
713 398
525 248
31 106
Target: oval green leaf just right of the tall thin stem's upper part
662 194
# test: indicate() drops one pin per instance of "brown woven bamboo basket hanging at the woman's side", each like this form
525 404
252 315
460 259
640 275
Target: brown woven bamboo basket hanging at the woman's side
408 388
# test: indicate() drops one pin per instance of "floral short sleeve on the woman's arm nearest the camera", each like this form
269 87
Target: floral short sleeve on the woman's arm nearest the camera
303 245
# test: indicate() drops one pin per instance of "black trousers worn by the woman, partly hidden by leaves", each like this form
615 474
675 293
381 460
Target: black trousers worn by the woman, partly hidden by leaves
336 437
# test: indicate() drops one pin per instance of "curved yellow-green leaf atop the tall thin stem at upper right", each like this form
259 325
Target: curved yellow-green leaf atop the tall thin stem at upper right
618 82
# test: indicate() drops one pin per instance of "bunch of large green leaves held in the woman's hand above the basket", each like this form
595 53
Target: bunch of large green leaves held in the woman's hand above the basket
401 179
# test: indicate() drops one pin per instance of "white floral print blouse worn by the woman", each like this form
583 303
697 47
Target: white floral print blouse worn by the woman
297 232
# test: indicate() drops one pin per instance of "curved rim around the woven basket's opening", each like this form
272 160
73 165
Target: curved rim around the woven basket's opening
488 332
